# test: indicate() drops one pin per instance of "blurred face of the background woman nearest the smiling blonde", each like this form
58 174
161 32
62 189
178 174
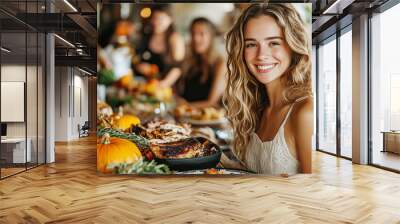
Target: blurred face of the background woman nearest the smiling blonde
201 38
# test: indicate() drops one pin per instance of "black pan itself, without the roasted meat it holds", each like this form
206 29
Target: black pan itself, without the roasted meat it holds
203 162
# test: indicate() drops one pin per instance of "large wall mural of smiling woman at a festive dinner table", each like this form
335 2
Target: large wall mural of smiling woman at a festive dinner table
204 88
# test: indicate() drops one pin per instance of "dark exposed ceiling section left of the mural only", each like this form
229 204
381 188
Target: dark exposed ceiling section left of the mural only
75 23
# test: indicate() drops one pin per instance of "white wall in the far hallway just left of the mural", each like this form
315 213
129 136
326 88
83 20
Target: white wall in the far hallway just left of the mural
71 94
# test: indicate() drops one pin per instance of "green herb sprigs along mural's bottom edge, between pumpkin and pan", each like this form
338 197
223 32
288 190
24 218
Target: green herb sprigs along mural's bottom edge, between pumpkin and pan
140 167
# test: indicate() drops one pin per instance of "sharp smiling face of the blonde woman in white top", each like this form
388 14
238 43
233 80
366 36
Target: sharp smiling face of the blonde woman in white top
267 55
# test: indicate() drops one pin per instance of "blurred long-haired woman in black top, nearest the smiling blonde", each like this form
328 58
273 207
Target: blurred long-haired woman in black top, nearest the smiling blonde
204 77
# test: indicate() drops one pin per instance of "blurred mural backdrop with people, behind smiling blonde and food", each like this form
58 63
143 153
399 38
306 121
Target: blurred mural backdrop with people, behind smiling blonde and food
158 41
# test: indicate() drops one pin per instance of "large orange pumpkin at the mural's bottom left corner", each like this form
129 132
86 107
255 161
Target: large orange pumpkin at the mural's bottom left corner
115 150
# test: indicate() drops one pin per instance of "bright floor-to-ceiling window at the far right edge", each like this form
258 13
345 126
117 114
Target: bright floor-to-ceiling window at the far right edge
385 88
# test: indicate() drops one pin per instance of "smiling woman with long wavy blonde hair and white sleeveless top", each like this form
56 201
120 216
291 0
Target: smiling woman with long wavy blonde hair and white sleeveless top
268 97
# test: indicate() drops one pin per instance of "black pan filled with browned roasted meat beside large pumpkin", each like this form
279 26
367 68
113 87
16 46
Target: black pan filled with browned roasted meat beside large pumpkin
188 154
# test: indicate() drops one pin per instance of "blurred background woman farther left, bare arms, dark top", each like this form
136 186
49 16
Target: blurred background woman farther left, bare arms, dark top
162 49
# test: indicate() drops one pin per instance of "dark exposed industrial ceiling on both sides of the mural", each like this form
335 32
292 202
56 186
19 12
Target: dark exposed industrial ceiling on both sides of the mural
79 27
